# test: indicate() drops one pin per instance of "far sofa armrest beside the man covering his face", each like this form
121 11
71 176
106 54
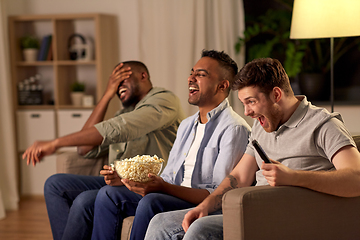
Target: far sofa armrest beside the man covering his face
73 163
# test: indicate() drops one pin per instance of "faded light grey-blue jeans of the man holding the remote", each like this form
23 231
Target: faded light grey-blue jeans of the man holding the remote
167 226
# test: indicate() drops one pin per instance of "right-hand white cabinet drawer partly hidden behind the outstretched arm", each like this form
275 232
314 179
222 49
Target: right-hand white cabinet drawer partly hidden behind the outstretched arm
70 121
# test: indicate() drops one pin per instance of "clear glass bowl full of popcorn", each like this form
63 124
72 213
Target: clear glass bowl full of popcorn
138 168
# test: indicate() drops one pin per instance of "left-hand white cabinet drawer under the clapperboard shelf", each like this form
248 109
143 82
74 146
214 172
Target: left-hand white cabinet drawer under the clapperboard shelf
34 125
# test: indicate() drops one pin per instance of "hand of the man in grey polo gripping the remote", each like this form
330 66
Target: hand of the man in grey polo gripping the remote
278 174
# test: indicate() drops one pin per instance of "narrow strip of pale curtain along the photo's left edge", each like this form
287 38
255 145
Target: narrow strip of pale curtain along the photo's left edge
9 197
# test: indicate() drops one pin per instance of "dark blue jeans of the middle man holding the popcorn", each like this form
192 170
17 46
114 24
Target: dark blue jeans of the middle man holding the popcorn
113 204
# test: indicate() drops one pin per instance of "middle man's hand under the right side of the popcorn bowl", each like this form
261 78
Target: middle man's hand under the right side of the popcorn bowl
154 185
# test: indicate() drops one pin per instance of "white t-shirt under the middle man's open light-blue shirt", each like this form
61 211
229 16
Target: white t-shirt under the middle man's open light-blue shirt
191 157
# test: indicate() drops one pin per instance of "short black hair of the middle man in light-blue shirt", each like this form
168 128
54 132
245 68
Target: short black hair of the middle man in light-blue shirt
226 63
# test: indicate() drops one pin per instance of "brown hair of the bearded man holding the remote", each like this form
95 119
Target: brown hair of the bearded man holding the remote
265 73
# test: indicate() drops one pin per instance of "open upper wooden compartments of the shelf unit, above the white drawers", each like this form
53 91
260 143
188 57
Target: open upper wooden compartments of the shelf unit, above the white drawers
59 73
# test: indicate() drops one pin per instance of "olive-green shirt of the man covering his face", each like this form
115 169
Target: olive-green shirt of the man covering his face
149 128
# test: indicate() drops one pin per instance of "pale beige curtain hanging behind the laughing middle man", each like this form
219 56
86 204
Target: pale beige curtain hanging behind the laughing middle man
173 34
